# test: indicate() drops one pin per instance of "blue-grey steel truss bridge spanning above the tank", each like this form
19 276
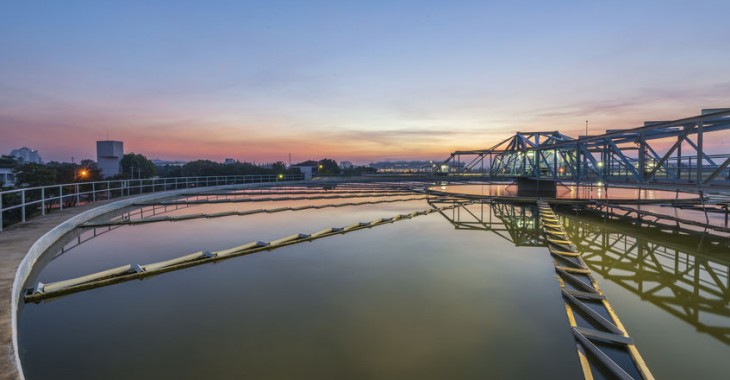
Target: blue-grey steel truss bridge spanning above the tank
659 152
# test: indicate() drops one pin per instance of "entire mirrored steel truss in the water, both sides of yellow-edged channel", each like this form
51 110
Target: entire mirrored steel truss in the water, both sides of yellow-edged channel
683 272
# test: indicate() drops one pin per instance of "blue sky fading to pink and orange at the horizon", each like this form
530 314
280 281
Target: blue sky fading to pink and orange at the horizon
351 80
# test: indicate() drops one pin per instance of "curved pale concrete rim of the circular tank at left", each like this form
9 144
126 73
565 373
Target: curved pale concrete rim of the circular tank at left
49 238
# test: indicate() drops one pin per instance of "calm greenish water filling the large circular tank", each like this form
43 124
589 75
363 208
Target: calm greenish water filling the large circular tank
467 294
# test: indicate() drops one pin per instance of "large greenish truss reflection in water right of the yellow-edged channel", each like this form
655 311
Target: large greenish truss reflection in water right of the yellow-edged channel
674 274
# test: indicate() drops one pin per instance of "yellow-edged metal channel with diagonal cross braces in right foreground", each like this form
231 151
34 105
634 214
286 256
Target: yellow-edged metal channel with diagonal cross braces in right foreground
604 346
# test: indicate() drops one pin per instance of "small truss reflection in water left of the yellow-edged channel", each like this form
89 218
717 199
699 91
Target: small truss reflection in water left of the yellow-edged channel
513 222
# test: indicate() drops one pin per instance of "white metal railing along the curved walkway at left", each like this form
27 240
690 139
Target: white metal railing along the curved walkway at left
19 205
